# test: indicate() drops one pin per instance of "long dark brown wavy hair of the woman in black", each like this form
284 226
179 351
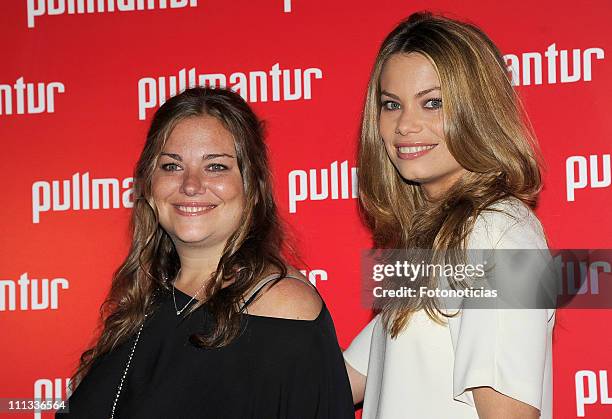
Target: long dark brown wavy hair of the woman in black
152 261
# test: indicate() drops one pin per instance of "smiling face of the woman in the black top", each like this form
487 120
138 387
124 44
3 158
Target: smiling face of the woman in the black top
197 186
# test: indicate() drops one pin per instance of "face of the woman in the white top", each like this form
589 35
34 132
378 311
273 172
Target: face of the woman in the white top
411 123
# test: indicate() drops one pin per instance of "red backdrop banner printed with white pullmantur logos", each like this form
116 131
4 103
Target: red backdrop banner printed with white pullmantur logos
80 80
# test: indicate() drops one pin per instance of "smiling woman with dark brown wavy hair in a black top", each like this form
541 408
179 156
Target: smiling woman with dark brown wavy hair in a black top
204 318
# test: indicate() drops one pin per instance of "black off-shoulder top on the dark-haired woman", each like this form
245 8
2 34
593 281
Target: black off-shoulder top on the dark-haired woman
276 368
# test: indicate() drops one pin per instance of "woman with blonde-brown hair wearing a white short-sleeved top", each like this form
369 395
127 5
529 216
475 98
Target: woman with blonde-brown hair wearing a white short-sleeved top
447 161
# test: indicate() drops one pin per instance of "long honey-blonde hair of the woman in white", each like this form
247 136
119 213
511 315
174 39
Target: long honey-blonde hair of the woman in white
486 130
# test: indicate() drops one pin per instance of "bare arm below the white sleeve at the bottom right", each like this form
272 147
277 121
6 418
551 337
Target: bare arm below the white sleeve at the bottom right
491 404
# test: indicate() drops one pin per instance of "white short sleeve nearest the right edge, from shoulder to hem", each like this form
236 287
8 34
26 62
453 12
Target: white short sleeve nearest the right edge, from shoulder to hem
506 349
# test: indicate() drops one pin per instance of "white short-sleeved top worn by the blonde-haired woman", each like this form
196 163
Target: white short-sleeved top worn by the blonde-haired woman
427 371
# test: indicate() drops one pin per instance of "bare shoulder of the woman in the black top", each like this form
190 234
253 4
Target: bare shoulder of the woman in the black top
289 298
